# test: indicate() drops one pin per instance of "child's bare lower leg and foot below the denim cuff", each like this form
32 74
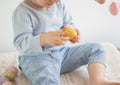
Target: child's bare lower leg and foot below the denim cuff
96 74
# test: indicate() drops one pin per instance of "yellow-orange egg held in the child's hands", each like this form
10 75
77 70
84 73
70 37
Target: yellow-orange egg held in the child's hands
71 32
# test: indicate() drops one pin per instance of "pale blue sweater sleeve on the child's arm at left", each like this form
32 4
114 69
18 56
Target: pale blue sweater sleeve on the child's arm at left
24 39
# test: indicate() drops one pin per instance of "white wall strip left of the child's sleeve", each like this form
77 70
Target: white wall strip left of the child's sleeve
6 32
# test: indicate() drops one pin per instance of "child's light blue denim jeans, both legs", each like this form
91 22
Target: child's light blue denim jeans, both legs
45 68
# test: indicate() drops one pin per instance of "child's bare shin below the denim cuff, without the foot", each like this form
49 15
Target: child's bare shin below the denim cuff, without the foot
96 73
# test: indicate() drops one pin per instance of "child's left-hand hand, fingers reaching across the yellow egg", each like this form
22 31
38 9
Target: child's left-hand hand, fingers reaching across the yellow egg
53 38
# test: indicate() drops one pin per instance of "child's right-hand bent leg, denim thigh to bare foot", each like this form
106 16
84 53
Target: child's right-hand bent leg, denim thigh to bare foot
92 54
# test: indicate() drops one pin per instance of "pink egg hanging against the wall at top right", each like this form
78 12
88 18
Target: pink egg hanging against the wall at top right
114 8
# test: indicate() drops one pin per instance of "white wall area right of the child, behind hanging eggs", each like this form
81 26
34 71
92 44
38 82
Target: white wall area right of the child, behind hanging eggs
95 21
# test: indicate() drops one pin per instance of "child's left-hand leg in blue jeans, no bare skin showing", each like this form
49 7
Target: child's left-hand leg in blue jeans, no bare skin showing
41 69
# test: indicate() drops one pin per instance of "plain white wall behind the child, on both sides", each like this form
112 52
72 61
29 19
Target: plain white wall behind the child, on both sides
94 20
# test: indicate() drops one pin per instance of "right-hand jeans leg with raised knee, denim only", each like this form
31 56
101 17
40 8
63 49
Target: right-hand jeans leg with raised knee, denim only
81 55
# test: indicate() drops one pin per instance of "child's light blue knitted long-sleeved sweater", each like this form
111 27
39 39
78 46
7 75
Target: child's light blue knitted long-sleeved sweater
30 22
